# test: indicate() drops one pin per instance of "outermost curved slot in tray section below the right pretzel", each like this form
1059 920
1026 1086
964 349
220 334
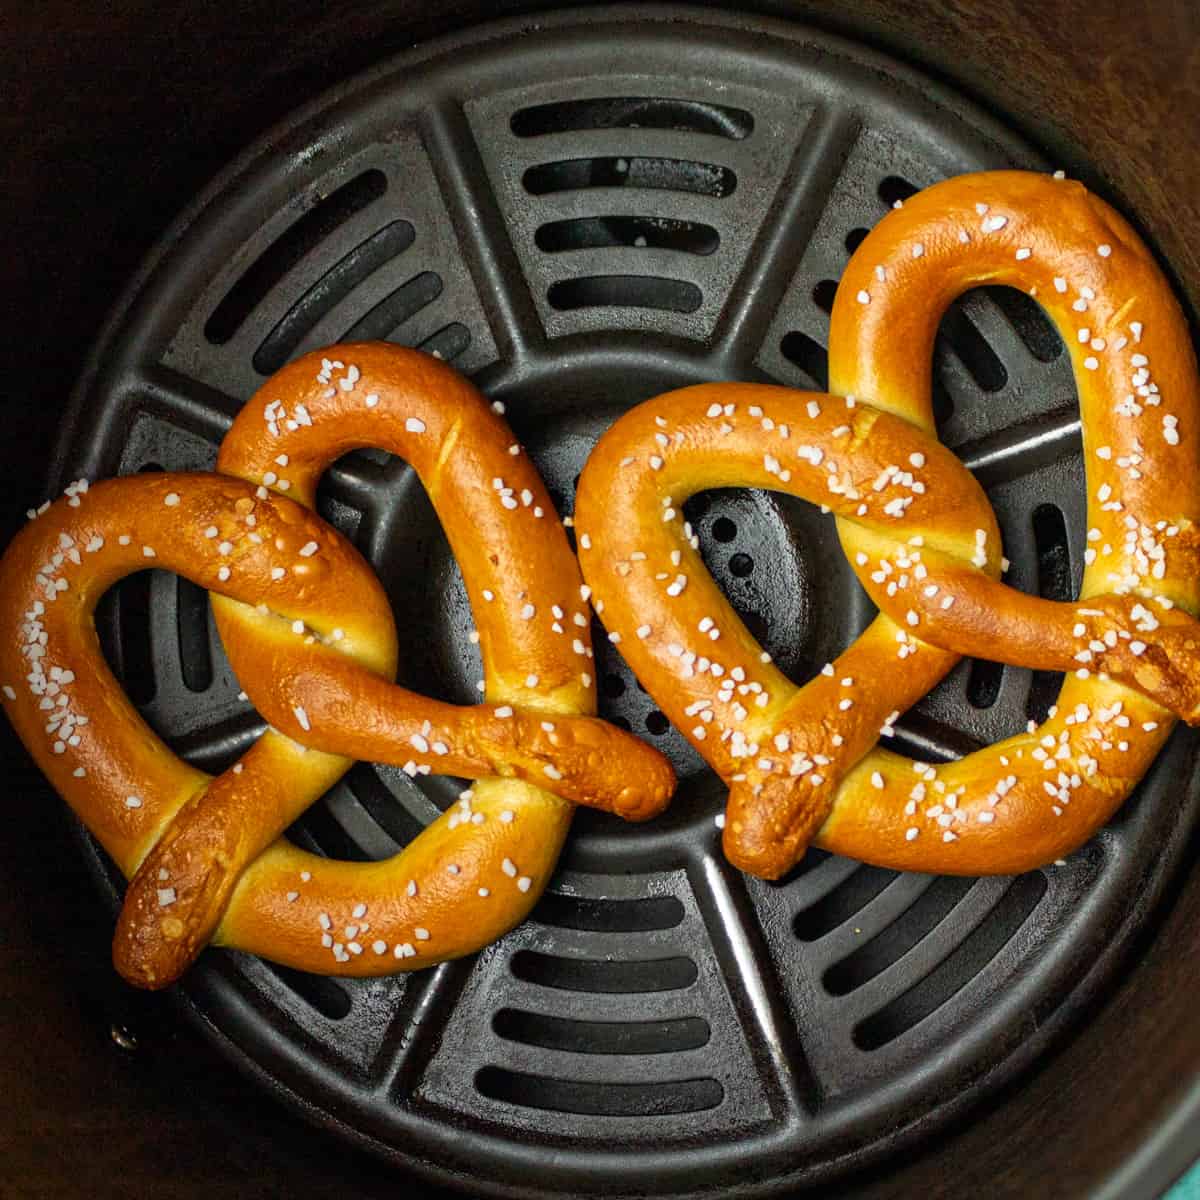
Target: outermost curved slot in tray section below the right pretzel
956 971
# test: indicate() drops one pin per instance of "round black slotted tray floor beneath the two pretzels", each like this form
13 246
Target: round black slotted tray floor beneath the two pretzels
581 213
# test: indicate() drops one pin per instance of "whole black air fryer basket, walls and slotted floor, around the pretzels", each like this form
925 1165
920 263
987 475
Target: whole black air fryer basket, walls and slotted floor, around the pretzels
580 211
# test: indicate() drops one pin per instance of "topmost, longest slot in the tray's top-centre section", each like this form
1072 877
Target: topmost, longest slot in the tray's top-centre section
633 113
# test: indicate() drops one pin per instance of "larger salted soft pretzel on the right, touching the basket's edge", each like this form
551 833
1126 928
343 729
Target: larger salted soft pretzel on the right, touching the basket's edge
803 764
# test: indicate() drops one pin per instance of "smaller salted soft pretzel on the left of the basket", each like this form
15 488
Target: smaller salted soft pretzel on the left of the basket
310 634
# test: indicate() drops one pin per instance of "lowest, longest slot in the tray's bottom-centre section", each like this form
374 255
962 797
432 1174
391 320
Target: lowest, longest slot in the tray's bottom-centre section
599 1100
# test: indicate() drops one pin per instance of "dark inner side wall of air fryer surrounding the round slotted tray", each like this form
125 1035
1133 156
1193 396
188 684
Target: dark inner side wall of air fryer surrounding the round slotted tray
1064 1089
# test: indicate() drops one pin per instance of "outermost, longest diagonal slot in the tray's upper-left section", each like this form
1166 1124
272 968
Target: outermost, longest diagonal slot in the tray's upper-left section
301 239
